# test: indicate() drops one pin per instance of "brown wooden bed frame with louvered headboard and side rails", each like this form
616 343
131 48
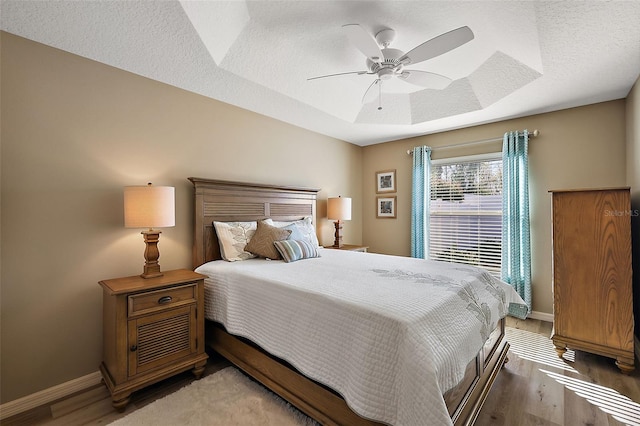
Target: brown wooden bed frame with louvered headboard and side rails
235 201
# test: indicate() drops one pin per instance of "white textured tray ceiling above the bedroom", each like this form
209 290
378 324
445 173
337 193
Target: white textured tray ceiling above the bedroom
527 57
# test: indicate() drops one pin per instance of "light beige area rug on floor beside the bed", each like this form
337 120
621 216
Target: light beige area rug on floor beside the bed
226 398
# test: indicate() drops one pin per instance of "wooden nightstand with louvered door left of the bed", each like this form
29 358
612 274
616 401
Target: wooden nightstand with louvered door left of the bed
152 328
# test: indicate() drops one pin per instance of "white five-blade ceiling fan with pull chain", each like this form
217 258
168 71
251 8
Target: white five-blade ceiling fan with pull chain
387 63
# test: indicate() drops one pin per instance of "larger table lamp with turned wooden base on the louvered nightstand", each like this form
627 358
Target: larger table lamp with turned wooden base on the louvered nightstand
149 206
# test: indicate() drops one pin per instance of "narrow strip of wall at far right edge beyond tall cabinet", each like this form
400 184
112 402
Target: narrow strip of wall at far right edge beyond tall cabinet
633 180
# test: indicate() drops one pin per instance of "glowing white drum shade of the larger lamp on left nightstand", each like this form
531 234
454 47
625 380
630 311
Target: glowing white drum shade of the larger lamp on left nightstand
149 206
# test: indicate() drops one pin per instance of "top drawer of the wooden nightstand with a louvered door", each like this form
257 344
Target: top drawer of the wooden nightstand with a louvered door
144 303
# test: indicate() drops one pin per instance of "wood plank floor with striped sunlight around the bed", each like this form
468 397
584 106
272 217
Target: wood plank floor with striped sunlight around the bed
534 388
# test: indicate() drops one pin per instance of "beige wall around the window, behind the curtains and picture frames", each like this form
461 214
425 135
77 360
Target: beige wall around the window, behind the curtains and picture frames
577 148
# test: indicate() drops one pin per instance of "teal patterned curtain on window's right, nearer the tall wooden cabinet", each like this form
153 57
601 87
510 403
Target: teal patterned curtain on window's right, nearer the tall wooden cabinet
516 247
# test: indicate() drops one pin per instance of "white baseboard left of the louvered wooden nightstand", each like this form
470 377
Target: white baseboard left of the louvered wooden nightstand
46 396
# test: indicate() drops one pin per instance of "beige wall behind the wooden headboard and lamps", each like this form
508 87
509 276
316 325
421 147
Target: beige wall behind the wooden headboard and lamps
74 133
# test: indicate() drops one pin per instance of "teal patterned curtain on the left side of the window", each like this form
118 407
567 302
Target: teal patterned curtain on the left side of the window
420 197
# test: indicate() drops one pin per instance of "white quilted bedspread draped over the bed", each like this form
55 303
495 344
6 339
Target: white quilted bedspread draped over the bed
390 334
